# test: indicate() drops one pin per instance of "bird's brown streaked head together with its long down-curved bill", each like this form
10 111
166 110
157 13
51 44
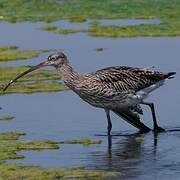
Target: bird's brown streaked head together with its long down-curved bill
56 60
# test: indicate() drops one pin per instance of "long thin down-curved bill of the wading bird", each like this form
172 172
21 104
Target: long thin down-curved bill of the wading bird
45 63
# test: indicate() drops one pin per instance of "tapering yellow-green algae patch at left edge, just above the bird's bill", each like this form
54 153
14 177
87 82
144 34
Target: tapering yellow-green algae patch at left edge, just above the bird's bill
9 52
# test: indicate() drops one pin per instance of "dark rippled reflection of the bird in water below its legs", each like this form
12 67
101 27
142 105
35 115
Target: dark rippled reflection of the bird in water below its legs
126 153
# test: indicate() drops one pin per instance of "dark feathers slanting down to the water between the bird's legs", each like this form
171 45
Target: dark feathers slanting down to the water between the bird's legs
133 119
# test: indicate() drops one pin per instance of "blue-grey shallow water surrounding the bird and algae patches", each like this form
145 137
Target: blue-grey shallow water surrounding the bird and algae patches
62 115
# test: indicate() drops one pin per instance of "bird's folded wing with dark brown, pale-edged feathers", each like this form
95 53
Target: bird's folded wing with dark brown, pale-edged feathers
123 78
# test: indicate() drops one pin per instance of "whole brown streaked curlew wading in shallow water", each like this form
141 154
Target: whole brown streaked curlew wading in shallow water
119 89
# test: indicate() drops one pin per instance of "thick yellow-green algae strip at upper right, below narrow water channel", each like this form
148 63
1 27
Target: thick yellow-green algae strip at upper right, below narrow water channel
151 30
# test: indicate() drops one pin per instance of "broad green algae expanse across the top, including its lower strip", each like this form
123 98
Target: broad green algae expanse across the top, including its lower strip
81 10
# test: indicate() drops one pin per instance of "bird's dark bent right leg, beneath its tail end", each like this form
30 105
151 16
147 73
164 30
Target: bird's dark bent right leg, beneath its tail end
156 127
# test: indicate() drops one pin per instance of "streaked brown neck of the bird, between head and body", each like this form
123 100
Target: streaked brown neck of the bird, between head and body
68 75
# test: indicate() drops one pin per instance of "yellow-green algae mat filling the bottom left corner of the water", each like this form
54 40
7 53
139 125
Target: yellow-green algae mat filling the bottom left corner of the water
10 145
